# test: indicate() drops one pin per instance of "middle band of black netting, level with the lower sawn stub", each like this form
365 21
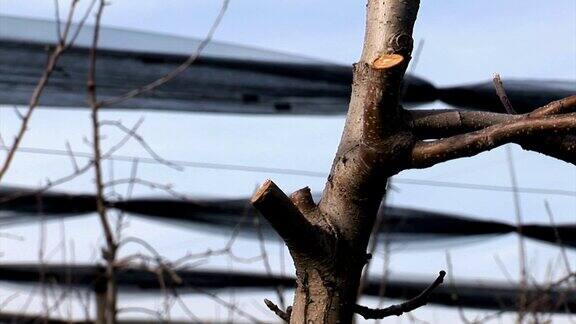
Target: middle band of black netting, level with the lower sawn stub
19 206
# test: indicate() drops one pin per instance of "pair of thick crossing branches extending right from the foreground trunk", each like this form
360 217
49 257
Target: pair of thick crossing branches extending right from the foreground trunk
549 129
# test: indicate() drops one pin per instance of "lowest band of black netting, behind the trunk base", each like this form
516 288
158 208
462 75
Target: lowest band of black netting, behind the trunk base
483 295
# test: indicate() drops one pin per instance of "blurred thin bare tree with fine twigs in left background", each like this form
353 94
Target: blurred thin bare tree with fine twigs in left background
106 288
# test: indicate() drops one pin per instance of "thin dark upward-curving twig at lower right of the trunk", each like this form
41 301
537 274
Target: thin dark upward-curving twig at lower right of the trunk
408 306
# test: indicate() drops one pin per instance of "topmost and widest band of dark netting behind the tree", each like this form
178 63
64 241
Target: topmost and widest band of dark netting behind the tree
224 79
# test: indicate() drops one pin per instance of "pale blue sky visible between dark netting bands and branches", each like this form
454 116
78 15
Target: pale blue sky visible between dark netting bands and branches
465 41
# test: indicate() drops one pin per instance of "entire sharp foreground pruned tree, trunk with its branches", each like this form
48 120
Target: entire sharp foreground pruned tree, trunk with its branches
328 240
